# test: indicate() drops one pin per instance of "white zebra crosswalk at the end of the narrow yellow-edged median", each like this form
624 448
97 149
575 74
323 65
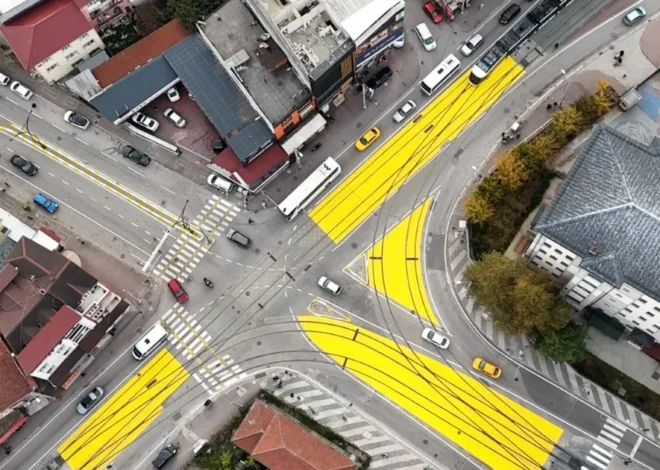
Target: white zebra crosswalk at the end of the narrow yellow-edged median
188 250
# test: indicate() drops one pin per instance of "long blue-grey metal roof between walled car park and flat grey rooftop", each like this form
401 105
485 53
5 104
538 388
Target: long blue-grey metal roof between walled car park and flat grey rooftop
219 97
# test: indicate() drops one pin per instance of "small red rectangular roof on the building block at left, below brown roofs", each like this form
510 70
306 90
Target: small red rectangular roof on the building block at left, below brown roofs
43 343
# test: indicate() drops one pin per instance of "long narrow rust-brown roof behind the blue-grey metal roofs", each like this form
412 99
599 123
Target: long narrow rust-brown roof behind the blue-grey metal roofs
140 53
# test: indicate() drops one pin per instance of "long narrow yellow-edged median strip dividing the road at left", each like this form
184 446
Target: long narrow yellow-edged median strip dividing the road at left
96 177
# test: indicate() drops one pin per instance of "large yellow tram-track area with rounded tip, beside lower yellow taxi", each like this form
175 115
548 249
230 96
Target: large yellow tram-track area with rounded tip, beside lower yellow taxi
494 429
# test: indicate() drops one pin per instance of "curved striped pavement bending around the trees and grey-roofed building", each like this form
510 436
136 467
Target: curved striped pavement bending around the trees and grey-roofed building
522 351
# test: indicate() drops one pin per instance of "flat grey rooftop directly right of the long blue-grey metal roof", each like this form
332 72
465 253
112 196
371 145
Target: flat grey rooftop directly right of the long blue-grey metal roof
261 64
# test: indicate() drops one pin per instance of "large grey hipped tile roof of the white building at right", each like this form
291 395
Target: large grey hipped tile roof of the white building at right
611 200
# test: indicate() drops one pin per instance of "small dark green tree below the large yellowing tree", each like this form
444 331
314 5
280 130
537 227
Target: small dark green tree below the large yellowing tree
564 345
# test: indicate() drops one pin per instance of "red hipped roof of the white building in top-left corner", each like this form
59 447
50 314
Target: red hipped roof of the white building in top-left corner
44 30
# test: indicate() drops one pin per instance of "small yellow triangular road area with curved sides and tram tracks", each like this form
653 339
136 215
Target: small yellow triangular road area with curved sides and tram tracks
394 264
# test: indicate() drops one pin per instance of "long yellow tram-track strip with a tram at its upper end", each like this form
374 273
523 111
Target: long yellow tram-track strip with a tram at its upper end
407 151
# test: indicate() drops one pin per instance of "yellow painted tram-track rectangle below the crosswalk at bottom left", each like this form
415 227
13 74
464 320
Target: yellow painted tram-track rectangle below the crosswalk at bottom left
124 415
